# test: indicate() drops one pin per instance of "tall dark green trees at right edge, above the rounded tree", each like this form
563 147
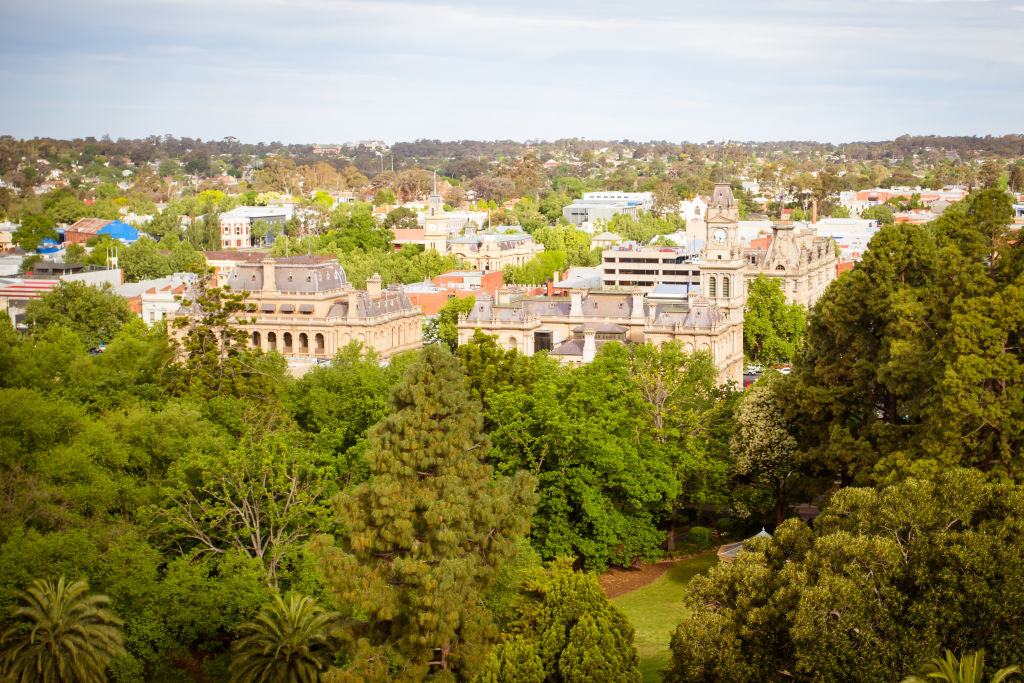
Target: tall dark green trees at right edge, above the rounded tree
913 359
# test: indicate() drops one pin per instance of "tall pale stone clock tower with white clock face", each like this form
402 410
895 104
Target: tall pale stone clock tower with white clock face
722 268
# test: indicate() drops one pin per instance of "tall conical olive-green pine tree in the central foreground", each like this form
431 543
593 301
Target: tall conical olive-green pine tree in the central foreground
428 533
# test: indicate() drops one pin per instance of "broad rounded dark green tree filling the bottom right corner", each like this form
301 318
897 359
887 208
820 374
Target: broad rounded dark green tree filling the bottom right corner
886 580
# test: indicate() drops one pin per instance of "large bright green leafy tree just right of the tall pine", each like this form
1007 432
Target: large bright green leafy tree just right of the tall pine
605 484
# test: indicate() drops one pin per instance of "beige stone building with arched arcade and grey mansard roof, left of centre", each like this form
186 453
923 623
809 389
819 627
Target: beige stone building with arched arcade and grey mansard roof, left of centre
305 307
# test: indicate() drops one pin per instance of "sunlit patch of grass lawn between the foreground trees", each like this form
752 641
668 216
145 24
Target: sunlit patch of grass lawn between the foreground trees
655 612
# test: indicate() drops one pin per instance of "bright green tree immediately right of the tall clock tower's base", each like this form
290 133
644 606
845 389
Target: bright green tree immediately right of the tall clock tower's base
774 329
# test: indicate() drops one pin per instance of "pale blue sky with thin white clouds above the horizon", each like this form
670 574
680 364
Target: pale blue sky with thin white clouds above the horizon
334 71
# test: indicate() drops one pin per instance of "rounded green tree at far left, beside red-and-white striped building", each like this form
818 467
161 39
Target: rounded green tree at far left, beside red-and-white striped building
95 314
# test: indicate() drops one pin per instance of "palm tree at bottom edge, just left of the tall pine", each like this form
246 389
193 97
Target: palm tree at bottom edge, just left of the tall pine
289 643
